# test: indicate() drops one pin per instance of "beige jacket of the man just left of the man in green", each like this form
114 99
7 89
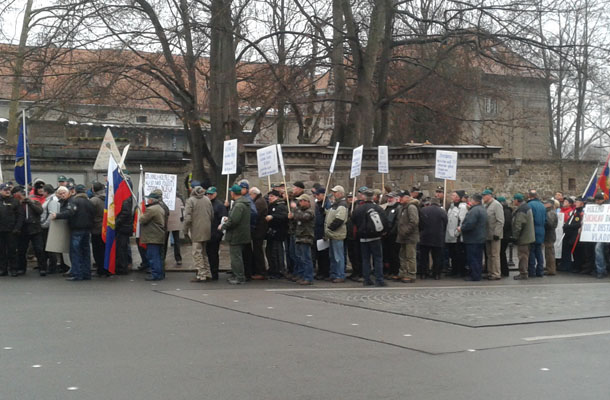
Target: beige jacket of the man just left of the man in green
198 216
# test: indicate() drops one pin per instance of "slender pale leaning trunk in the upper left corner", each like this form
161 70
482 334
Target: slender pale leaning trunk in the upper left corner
13 121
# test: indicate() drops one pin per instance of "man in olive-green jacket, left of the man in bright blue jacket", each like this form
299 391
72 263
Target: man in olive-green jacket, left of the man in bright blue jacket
523 233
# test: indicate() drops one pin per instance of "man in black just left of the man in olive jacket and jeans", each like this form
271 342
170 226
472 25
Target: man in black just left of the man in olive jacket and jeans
277 222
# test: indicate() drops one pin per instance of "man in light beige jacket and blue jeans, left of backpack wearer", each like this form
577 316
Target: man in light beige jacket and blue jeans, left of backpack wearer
336 231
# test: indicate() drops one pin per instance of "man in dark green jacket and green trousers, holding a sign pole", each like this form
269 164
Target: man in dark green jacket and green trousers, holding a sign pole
238 233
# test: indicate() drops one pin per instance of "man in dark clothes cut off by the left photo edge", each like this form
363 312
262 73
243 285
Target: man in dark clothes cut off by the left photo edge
11 221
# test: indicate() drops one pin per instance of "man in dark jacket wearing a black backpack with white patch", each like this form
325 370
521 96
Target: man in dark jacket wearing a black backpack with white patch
371 224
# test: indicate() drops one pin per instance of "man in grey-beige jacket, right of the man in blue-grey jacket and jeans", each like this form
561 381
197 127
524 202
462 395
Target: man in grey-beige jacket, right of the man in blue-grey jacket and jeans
495 231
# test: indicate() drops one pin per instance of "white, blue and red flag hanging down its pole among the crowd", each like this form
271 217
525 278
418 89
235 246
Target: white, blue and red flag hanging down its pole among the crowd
117 192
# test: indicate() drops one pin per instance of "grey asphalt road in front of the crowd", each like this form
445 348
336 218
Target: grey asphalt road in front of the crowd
124 338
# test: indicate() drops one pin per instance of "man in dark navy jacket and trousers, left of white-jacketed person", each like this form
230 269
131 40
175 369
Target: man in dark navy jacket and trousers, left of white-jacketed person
433 220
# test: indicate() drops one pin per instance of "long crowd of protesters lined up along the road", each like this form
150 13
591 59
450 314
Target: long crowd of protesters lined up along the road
303 234
